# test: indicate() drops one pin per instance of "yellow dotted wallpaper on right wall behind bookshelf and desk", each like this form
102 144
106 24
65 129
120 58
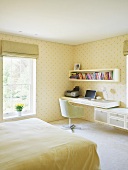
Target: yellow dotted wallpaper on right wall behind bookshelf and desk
107 53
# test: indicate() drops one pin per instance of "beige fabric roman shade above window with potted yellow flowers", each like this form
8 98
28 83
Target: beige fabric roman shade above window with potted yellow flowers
16 49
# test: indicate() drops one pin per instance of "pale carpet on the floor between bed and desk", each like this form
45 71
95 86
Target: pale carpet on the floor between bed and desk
112 143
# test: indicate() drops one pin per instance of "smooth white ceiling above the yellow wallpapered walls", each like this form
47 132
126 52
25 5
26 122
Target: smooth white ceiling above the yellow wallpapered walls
65 21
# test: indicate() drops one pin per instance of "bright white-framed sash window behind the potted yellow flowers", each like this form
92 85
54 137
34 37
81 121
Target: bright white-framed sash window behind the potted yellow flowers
19 85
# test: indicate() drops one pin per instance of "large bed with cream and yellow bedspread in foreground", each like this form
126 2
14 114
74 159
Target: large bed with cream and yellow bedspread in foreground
33 144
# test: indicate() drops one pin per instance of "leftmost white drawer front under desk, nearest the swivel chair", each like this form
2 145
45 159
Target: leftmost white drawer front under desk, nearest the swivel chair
100 116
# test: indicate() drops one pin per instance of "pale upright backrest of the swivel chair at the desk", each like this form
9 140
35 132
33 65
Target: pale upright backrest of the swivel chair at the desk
64 107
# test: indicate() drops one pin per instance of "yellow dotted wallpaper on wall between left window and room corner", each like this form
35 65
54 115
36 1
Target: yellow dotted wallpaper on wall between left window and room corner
53 65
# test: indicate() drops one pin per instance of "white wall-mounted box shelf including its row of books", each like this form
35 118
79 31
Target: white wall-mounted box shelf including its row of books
102 75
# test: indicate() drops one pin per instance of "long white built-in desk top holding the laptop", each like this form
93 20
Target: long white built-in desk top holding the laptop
95 103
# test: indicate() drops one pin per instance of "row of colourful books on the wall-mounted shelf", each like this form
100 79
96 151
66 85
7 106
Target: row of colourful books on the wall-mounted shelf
93 76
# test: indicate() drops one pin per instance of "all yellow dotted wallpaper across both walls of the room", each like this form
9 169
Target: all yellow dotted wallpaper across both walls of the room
54 62
